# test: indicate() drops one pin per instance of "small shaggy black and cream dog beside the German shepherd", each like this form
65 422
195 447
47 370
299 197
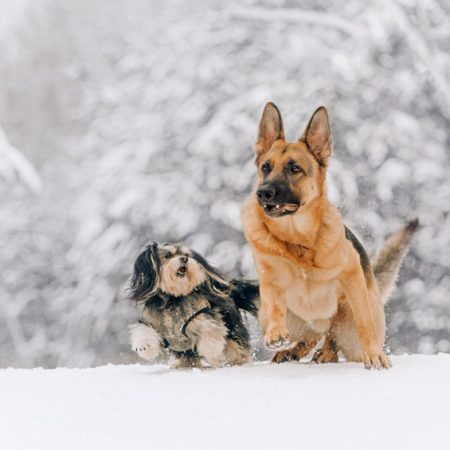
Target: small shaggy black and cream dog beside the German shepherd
191 311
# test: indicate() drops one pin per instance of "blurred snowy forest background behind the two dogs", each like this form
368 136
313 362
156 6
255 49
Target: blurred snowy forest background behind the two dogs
124 121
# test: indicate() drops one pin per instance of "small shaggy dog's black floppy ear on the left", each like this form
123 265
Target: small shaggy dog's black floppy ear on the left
145 279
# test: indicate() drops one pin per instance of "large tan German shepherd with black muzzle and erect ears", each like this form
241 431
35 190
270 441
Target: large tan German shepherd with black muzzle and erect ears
316 279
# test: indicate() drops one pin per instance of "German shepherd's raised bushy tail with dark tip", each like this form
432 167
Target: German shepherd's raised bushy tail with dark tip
386 265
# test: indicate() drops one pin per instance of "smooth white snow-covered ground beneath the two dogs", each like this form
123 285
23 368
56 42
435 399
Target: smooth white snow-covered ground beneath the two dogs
288 406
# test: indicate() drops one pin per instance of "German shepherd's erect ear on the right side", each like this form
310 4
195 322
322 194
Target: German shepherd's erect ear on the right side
317 136
